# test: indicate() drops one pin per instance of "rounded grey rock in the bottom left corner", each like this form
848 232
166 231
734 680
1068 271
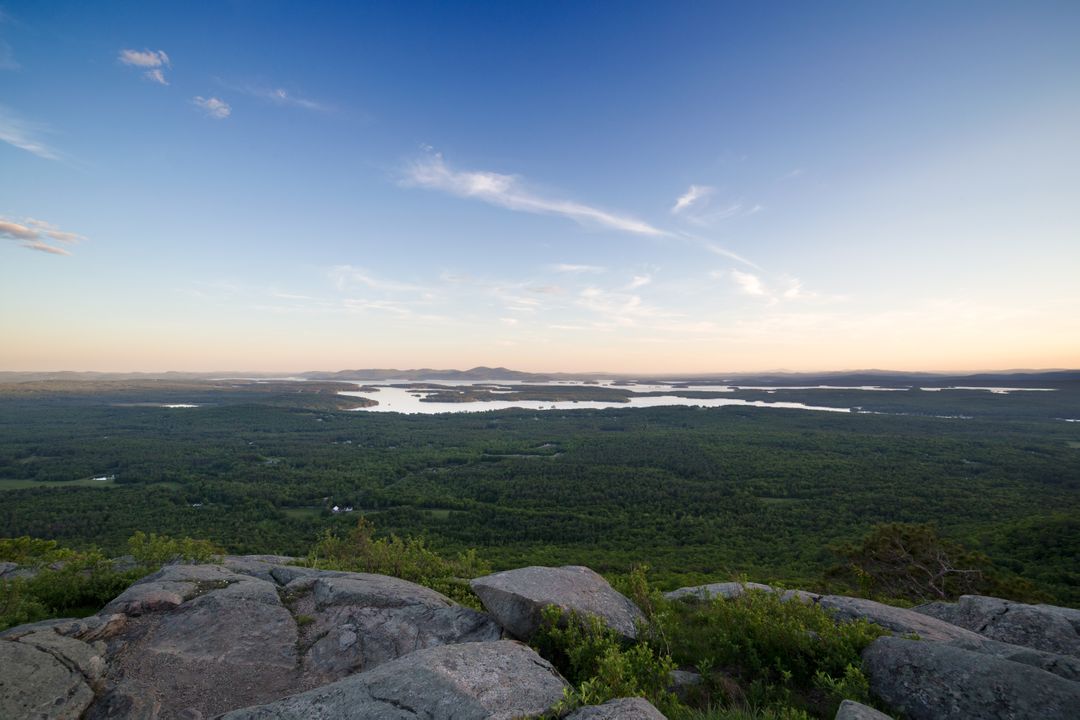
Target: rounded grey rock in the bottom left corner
34 684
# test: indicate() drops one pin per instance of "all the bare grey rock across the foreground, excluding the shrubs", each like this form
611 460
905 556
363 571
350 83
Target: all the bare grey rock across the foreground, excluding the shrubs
259 640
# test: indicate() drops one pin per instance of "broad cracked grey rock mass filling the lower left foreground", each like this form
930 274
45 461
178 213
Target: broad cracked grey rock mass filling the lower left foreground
200 641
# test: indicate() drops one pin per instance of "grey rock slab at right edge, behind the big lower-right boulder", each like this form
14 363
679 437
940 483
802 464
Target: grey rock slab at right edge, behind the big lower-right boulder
1039 628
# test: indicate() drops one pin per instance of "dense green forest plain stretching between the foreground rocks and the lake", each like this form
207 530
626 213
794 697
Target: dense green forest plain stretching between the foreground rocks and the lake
698 495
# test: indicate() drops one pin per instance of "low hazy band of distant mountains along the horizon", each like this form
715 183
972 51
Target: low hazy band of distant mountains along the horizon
883 378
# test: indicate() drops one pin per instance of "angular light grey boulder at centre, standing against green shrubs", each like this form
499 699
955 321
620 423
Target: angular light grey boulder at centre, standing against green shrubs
518 597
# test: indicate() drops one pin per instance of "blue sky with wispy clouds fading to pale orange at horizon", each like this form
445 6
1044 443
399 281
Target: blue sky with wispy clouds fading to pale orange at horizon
627 187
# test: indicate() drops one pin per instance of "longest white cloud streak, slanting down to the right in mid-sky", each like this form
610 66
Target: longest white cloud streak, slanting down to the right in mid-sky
508 192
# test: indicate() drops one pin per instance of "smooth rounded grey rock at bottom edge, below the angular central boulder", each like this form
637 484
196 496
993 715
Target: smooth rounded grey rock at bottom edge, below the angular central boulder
471 682
